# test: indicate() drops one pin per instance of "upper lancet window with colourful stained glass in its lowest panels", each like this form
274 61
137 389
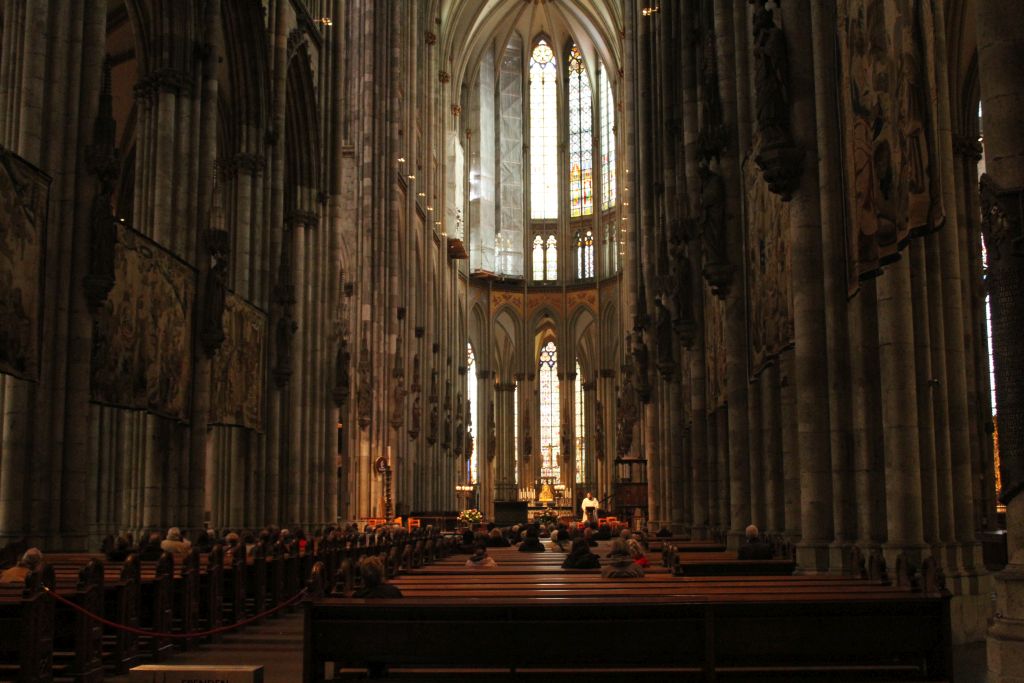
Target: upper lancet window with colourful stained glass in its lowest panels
581 138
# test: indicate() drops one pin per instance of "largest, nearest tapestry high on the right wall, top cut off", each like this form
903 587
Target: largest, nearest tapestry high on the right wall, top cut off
888 143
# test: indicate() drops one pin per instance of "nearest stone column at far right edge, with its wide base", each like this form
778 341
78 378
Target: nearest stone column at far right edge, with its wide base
1001 45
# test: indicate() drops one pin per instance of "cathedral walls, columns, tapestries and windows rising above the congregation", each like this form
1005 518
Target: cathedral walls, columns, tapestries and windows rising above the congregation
719 263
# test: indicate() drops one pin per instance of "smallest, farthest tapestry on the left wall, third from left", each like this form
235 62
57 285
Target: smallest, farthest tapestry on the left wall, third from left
239 367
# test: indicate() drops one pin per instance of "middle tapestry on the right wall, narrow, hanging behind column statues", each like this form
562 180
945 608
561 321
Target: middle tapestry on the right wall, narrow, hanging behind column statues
769 263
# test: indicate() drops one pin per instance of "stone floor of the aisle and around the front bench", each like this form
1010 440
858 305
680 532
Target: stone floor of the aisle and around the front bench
277 645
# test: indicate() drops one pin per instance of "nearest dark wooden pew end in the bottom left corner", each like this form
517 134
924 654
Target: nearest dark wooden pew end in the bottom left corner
27 624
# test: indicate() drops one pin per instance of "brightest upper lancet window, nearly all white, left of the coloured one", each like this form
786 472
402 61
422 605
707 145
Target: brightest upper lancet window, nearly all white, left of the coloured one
543 133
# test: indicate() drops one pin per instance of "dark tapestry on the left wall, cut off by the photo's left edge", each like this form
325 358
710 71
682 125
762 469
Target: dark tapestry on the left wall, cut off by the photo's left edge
24 198
